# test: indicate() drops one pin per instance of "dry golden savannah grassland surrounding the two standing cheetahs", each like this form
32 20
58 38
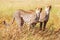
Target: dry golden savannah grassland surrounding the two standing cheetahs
7 8
